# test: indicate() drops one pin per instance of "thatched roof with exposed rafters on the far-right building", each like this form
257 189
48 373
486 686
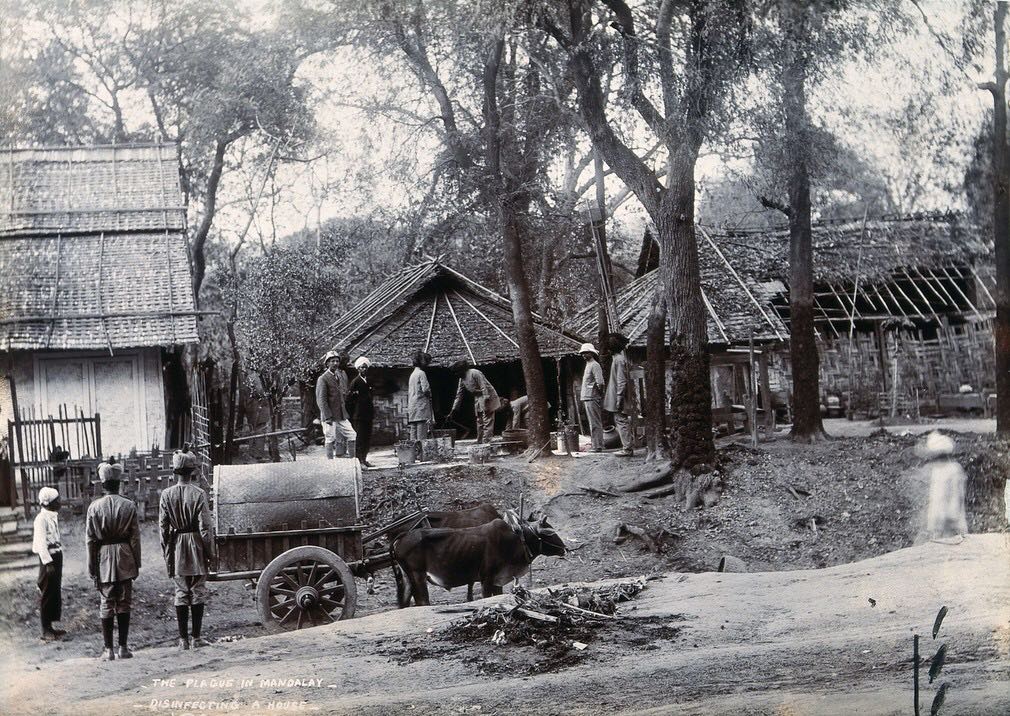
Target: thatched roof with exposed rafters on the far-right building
925 269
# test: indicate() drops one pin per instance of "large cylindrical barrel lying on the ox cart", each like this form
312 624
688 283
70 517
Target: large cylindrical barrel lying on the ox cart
266 497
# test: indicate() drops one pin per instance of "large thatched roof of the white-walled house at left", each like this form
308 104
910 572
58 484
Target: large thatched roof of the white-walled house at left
92 250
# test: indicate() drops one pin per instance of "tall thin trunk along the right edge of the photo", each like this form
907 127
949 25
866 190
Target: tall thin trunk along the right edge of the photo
1001 225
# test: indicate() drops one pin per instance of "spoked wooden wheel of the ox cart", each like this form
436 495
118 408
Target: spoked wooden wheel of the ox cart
306 587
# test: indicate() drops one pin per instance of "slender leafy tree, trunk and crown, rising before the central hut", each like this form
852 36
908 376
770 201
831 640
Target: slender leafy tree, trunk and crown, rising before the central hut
494 119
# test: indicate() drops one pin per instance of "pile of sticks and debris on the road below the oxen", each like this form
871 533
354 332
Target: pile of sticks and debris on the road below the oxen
564 618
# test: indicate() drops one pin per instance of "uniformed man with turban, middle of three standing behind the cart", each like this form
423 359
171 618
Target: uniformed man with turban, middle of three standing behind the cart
114 542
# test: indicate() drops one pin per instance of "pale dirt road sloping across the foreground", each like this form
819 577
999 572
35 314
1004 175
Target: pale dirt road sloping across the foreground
788 643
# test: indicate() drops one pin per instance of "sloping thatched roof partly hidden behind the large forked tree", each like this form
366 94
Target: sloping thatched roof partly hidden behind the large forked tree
737 305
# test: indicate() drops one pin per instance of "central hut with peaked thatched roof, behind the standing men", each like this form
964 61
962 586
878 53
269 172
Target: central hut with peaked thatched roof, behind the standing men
433 308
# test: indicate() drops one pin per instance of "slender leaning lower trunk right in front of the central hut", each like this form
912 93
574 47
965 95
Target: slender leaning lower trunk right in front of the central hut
539 426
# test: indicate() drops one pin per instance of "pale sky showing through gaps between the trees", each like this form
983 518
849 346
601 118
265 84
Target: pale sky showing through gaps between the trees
366 156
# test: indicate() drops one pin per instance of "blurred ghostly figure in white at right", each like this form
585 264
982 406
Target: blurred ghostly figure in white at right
946 514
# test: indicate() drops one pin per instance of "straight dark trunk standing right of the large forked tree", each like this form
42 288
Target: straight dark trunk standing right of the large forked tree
802 346
